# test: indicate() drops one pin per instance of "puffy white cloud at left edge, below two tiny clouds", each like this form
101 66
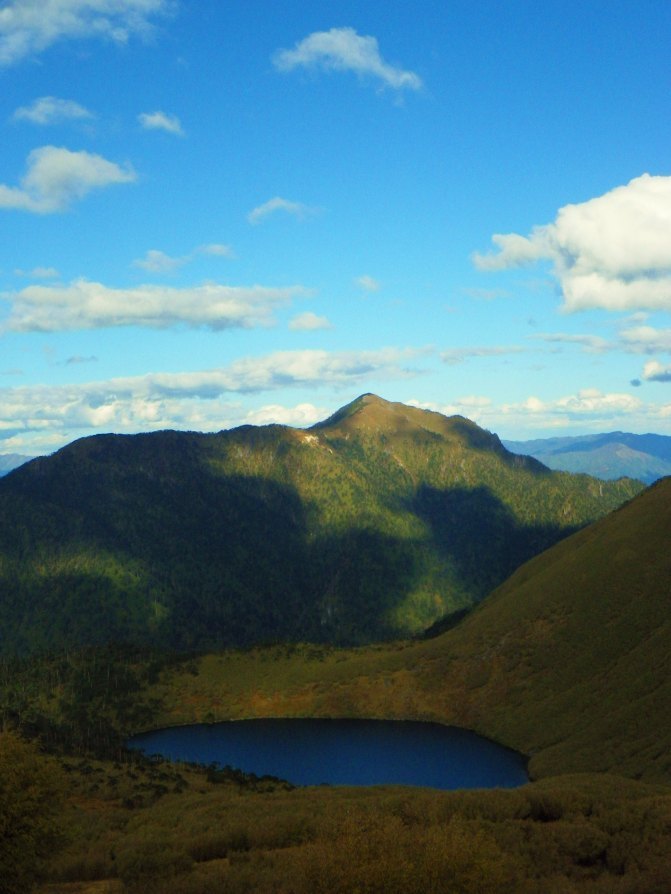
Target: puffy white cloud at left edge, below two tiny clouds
56 177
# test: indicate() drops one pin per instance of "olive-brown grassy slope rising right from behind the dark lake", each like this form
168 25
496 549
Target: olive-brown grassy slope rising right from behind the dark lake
569 661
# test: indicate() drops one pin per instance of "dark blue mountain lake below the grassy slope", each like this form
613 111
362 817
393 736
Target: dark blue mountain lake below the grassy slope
344 752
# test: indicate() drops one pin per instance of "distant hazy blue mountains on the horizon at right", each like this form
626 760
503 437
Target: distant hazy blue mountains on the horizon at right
608 456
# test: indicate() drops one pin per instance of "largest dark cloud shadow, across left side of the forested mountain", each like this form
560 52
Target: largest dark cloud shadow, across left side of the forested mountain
178 555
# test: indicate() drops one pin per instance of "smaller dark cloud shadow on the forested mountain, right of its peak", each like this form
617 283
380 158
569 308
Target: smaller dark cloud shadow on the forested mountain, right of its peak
479 534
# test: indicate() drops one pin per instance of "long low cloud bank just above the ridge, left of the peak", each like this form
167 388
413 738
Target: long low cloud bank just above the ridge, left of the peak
200 400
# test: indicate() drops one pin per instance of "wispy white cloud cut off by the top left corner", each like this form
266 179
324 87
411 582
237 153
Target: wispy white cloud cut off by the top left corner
28 27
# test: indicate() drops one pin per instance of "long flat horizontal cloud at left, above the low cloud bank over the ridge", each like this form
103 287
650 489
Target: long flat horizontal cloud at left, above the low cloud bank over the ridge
90 305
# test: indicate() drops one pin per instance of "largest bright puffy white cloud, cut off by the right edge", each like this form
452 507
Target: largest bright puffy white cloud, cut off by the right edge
612 252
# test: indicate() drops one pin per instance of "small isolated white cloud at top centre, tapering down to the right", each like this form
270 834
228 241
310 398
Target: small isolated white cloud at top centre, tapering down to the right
342 49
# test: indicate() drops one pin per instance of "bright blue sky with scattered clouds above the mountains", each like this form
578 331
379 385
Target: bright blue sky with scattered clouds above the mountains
219 213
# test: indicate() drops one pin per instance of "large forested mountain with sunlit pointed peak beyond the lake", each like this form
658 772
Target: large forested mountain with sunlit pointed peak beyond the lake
370 525
